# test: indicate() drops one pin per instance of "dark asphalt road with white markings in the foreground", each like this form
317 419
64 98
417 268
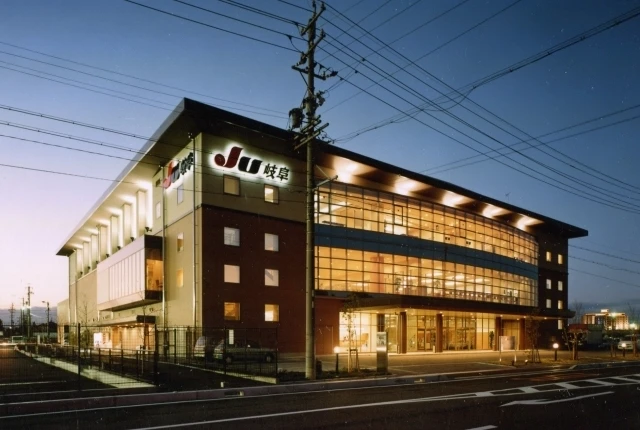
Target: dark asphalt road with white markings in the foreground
523 399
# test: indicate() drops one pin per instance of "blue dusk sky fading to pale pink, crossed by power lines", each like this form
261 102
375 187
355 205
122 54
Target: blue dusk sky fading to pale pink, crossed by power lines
557 81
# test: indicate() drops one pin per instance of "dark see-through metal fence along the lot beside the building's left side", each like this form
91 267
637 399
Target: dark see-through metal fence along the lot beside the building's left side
174 358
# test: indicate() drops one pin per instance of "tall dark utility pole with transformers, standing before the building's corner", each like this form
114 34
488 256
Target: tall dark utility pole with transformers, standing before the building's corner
308 133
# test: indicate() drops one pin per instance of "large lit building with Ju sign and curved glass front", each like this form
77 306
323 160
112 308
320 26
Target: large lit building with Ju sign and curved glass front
207 229
